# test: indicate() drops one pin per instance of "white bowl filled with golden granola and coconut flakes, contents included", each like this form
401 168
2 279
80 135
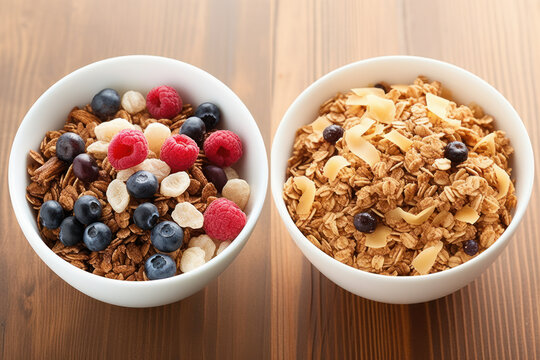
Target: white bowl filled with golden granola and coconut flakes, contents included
404 177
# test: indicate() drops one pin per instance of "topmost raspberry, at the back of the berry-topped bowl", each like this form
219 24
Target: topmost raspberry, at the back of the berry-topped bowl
163 102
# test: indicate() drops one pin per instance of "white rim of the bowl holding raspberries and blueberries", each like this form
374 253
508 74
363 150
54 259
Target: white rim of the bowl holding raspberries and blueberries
34 238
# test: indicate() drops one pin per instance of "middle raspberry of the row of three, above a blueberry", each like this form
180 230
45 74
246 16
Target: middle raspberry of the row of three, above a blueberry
179 152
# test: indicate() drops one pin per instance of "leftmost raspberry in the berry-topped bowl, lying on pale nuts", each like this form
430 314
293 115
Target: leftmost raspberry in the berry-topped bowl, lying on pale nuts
127 149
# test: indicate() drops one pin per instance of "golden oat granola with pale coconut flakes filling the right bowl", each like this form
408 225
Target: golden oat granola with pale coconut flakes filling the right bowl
391 163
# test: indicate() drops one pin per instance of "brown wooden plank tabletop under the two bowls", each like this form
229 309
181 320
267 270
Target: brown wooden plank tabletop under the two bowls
270 303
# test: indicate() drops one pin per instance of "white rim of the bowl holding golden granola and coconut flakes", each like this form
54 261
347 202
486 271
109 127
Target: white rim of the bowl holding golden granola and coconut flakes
301 240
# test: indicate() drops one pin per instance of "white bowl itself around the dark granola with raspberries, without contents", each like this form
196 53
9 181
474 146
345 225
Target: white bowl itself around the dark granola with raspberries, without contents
139 73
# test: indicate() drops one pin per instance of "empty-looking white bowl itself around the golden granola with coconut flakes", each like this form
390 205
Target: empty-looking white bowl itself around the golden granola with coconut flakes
465 88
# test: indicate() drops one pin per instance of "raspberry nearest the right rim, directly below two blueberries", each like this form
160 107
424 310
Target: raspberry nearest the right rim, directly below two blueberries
223 148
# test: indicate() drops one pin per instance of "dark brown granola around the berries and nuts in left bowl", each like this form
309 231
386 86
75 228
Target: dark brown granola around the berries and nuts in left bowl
124 258
